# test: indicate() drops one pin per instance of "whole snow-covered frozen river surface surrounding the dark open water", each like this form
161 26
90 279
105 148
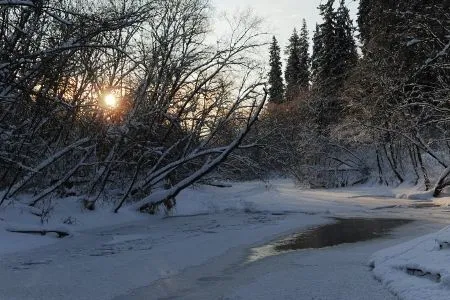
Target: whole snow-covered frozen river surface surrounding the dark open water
204 244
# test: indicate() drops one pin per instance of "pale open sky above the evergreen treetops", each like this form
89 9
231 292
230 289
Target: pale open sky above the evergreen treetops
281 16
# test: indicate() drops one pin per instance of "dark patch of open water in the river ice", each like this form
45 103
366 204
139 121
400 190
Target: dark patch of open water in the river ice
349 230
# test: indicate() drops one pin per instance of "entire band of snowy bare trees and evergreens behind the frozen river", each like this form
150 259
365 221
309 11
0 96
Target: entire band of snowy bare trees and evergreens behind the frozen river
131 101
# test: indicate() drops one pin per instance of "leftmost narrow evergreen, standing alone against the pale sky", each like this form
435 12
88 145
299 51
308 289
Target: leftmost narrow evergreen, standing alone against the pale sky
276 88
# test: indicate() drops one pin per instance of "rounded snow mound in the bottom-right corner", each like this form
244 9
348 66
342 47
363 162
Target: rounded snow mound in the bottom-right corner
418 269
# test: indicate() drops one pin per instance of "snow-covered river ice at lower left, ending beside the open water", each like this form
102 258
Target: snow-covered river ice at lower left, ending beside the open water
127 256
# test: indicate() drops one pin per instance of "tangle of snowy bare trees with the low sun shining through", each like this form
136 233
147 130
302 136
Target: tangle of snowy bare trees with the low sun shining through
176 92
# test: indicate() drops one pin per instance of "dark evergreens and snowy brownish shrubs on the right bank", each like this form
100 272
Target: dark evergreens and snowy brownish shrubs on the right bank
381 115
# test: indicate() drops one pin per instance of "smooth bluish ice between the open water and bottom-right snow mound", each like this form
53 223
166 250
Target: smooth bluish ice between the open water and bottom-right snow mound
330 273
